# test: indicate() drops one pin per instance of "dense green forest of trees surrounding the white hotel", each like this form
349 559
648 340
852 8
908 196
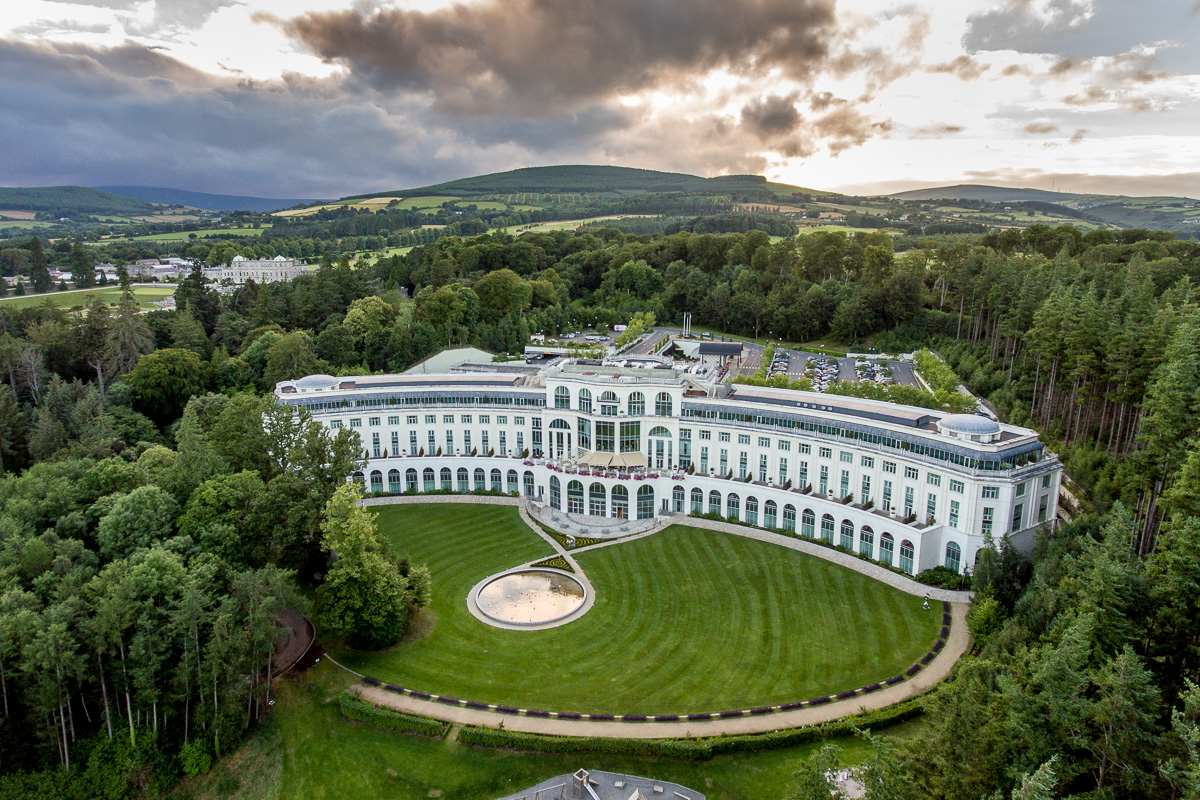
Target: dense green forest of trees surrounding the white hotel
148 478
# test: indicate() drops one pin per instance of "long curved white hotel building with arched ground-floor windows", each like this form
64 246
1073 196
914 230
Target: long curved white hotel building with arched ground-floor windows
907 486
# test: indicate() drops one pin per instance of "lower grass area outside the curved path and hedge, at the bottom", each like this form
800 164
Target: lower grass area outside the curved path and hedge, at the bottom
310 753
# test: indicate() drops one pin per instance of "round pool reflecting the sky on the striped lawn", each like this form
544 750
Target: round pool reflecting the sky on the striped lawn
531 598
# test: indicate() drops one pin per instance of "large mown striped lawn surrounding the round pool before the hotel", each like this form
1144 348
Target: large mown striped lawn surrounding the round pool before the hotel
686 621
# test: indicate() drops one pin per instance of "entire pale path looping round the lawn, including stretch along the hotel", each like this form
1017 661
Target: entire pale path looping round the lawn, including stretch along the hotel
956 646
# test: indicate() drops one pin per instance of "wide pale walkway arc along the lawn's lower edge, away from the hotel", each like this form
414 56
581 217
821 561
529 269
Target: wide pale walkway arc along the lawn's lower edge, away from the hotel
958 643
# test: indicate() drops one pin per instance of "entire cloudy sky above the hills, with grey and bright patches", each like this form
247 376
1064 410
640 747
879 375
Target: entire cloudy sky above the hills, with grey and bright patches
331 98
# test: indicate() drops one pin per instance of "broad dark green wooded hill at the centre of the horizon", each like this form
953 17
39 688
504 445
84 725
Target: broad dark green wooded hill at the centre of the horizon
587 179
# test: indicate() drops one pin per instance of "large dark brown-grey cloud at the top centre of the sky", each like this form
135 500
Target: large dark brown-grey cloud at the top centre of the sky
544 57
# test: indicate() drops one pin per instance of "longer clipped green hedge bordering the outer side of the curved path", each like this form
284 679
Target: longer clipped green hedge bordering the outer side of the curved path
693 749
